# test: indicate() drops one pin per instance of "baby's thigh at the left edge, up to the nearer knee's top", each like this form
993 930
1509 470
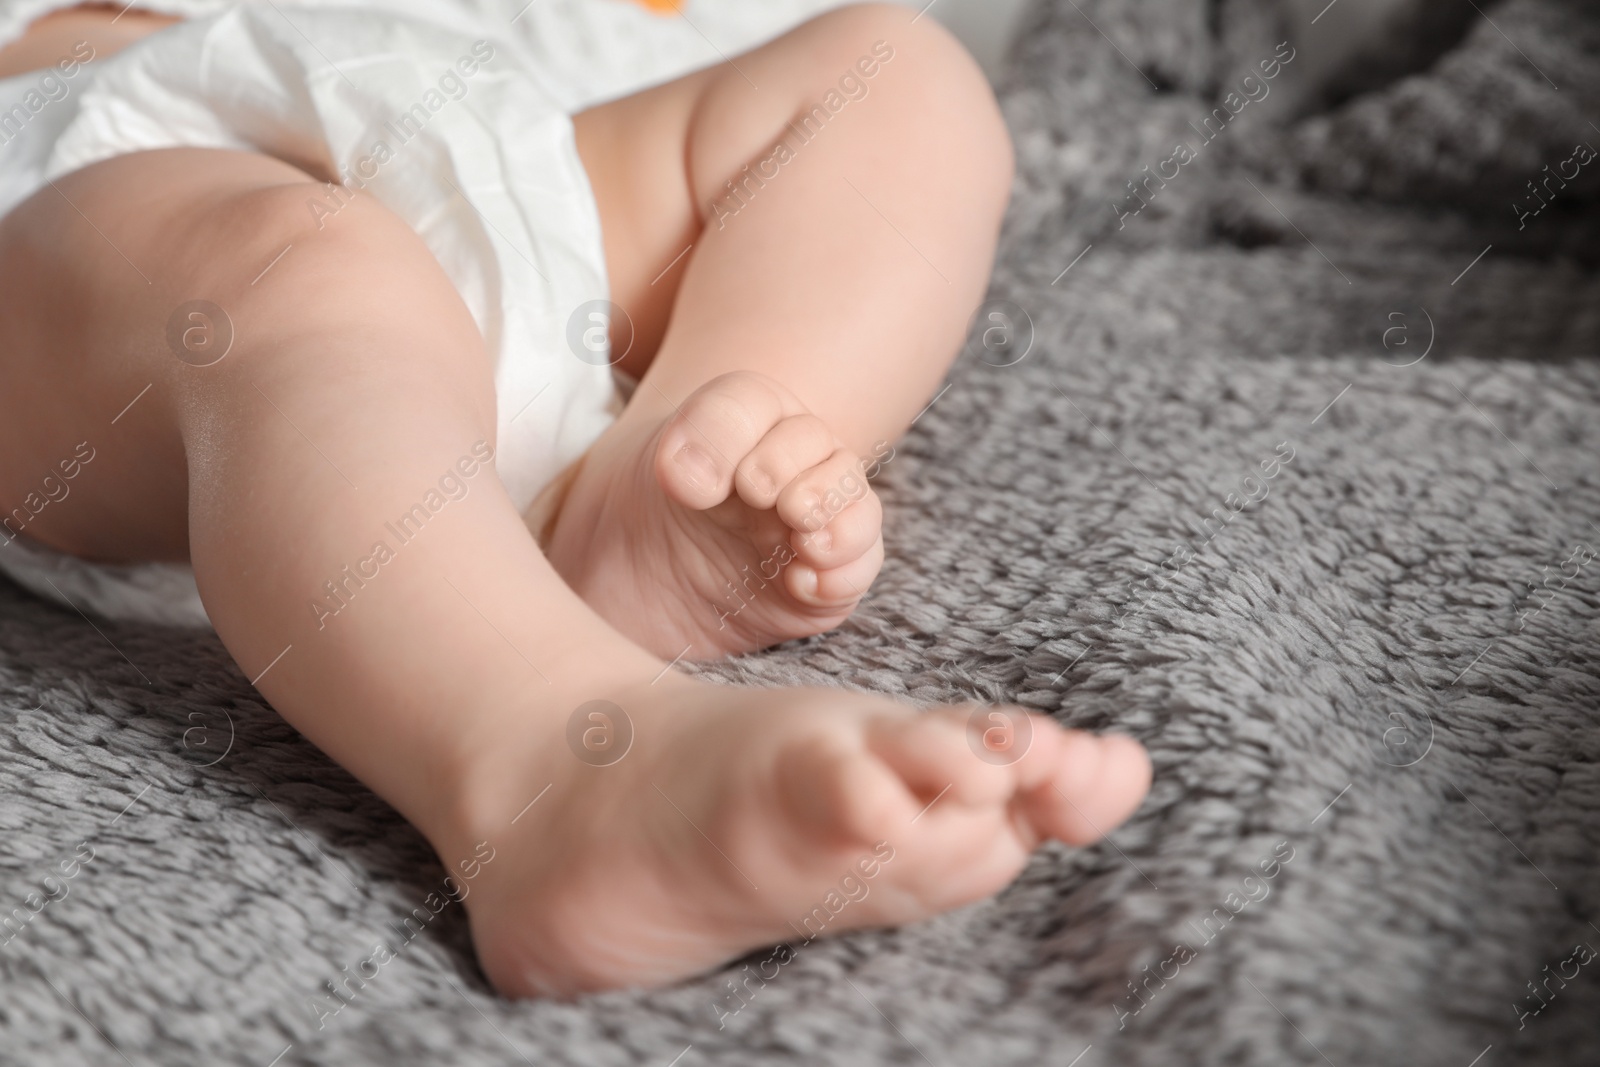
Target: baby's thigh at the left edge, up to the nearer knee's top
143 300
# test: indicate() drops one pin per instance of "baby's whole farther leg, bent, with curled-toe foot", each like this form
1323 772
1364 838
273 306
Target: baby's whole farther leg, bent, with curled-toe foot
839 193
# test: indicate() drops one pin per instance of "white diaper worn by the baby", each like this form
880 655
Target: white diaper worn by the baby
452 114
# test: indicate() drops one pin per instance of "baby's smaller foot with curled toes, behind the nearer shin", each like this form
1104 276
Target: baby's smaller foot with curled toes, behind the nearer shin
735 524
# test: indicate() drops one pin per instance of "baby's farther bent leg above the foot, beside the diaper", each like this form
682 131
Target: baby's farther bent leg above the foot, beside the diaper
844 265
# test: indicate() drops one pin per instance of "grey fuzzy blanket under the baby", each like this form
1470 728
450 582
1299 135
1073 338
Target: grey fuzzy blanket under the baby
1282 460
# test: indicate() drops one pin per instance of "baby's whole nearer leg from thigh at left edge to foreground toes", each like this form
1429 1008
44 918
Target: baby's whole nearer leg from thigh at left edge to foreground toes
454 677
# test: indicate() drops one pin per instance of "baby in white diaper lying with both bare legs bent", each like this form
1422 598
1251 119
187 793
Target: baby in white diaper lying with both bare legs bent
474 594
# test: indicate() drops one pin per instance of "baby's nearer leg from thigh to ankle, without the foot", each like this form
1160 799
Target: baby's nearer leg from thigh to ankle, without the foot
356 390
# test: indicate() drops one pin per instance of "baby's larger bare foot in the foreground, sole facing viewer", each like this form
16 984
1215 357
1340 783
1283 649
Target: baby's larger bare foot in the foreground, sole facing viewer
748 818
